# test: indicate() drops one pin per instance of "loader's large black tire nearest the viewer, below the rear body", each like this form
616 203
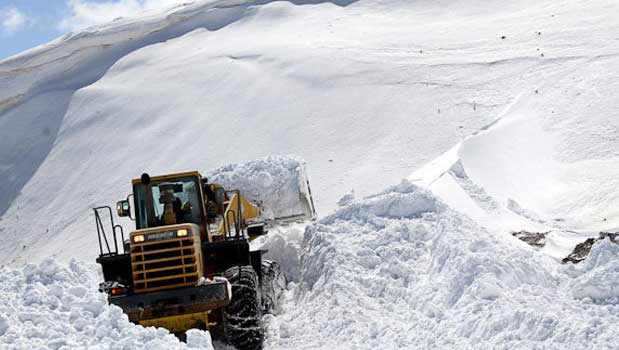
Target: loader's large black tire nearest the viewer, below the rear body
243 316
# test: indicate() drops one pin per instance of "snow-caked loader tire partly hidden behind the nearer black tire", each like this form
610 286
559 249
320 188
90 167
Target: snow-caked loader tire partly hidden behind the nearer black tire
273 286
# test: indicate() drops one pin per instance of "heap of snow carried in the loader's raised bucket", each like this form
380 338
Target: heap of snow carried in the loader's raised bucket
277 184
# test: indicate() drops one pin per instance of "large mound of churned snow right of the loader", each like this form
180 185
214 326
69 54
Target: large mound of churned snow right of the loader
400 270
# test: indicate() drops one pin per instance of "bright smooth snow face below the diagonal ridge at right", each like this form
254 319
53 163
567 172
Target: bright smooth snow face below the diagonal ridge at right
549 162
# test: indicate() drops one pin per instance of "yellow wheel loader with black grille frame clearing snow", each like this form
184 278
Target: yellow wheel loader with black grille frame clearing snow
188 264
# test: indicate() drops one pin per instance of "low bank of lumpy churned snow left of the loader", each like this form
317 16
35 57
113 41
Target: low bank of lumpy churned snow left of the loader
49 306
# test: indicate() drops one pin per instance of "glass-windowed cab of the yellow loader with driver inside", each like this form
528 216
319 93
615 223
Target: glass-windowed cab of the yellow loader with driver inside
168 200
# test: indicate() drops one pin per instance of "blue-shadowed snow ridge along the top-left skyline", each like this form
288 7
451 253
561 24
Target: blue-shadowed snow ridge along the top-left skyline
92 52
